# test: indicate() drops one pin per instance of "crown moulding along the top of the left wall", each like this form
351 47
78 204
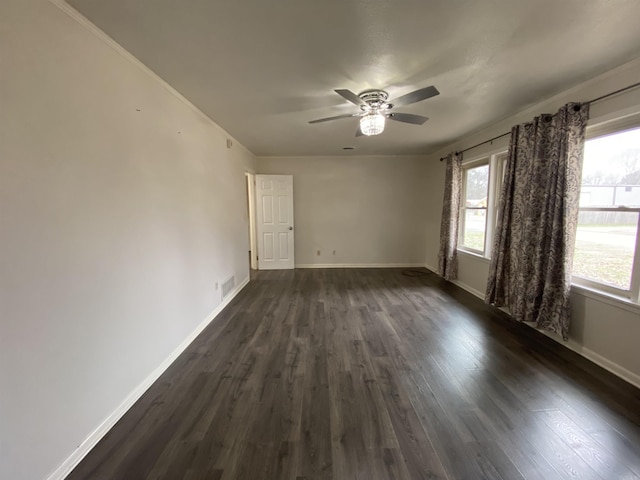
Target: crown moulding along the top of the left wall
92 28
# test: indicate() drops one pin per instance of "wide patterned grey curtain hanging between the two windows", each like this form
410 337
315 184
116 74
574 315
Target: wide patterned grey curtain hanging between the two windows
530 270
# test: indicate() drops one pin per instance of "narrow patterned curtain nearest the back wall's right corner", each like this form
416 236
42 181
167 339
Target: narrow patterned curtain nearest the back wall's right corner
448 256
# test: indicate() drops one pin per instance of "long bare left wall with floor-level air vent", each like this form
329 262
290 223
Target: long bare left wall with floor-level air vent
115 225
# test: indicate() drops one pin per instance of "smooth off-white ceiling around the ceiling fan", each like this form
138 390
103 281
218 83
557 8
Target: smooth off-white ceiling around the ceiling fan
263 68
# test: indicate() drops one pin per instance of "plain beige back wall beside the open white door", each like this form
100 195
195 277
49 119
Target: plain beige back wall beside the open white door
369 209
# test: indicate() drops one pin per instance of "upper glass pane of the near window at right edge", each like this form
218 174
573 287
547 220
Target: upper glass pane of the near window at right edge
611 171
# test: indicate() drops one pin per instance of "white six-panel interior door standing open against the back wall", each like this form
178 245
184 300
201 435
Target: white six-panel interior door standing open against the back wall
274 195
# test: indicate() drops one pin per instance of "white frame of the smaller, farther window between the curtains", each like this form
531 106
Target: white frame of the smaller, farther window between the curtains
496 161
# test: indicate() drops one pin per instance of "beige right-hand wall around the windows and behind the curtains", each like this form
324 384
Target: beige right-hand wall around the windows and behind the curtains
604 331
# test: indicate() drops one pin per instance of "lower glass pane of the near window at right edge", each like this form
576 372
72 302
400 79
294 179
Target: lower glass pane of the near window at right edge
605 245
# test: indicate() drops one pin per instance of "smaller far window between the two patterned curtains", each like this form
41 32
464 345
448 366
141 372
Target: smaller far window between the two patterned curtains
481 180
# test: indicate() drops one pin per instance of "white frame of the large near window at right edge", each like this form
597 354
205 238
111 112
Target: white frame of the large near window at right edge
598 130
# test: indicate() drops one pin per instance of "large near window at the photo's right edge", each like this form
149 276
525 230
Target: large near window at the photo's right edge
606 252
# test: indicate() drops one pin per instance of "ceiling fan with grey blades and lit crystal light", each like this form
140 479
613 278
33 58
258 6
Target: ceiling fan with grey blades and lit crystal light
374 108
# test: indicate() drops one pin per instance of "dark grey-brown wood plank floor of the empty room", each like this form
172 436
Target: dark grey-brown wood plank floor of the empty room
372 374
